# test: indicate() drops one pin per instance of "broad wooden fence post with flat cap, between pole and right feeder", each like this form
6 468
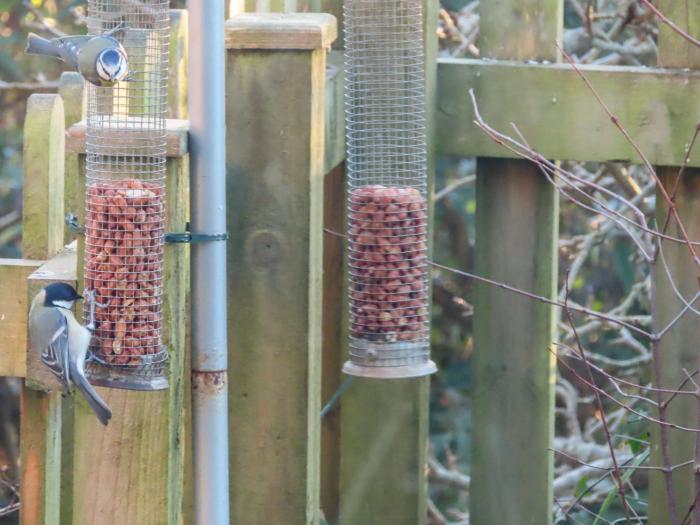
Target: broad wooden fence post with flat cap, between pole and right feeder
275 85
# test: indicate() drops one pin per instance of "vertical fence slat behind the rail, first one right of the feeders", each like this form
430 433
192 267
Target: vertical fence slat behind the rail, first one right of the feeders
516 239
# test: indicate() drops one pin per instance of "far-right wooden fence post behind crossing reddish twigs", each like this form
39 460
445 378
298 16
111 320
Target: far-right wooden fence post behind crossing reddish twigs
679 347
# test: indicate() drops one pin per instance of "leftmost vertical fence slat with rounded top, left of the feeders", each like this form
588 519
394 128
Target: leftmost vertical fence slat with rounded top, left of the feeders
40 412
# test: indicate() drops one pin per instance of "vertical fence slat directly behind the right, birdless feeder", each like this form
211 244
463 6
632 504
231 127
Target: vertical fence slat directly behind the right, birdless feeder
384 423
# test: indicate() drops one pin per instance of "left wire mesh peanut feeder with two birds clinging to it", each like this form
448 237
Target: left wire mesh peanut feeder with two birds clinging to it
125 200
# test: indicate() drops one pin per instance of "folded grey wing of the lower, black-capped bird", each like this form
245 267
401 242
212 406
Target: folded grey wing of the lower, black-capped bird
50 336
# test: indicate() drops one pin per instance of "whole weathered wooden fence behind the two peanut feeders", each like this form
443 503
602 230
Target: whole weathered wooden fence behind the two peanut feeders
365 462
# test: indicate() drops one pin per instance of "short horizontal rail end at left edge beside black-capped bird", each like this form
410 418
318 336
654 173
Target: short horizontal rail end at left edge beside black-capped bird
13 315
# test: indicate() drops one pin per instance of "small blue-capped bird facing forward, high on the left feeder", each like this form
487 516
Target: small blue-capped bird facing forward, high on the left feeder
101 60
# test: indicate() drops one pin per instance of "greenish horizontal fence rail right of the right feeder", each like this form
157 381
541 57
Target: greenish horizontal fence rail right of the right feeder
558 116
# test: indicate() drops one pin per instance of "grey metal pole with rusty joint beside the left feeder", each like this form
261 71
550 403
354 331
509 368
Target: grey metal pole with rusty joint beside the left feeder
208 217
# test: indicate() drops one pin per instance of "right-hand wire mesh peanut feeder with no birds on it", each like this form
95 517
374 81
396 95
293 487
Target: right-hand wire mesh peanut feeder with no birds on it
387 186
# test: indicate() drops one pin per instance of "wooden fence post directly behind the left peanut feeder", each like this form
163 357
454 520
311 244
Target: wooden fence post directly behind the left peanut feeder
134 468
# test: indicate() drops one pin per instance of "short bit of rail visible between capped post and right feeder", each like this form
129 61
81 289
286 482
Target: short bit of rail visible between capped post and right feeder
334 113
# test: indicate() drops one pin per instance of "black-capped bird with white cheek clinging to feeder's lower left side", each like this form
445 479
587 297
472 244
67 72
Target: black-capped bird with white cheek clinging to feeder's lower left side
63 342
